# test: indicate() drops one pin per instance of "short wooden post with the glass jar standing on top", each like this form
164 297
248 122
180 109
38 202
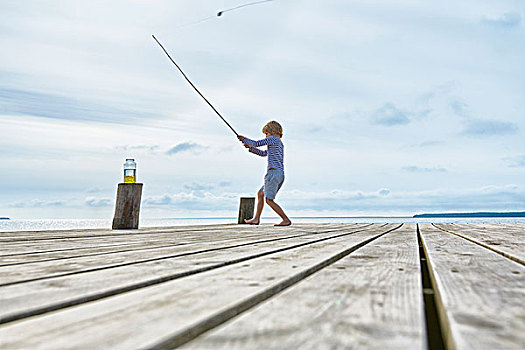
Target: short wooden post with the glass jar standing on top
127 207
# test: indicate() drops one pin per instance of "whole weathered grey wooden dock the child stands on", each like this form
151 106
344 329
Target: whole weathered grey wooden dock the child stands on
322 286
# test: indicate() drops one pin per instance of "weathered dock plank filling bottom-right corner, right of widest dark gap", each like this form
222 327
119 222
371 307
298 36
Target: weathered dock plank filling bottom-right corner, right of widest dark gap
480 294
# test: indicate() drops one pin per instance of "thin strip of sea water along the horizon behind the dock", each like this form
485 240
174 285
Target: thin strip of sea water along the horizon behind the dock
71 224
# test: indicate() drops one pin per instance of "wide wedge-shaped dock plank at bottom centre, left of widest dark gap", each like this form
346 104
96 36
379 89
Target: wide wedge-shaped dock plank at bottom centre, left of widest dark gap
372 299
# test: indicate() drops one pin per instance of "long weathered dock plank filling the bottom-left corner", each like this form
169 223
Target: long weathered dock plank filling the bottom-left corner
142 318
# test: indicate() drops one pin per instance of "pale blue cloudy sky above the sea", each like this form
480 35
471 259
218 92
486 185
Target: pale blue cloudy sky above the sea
388 107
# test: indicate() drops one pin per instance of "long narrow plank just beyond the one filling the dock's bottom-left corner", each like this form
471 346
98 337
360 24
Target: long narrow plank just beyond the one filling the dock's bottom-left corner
43 294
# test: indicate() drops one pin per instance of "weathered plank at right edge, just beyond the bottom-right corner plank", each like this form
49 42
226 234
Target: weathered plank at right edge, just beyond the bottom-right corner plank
507 242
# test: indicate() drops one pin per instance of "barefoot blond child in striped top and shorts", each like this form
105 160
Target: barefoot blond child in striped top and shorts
275 176
